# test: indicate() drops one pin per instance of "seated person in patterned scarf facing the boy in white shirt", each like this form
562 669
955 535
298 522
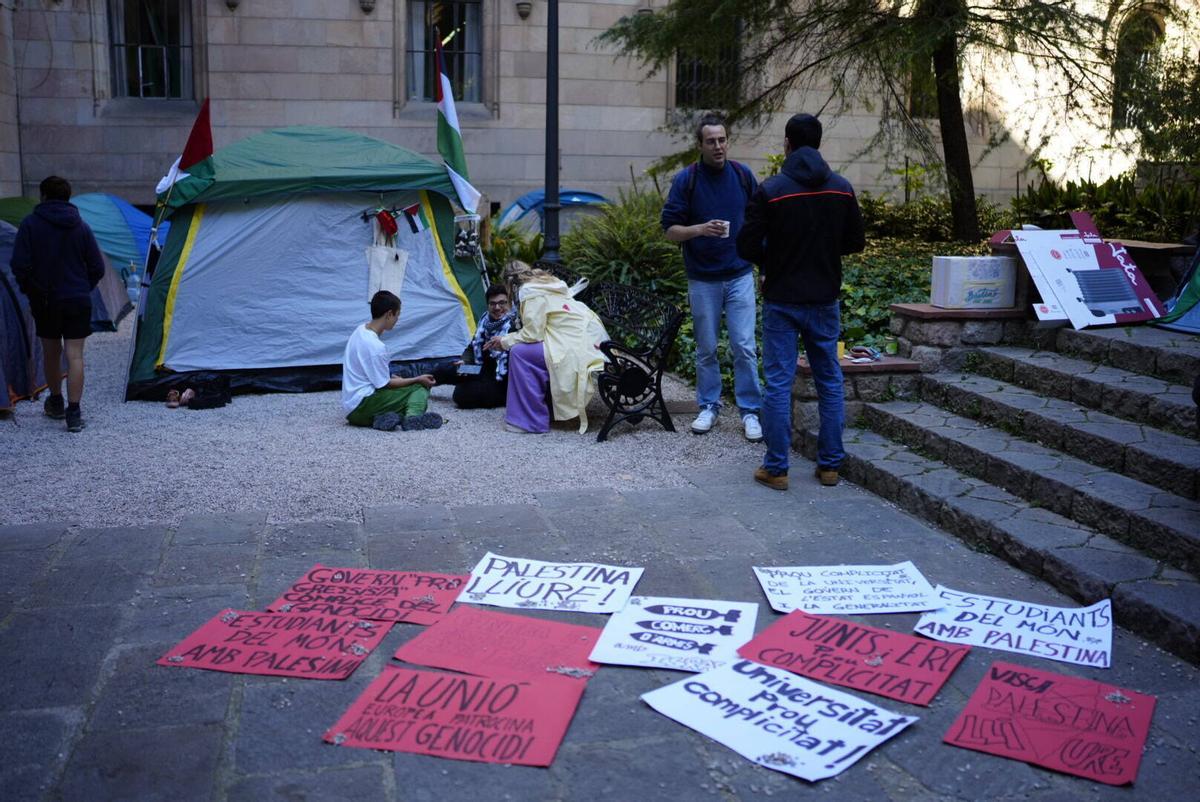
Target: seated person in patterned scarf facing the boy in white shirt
487 388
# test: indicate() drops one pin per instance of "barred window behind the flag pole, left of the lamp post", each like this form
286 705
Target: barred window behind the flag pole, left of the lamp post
460 26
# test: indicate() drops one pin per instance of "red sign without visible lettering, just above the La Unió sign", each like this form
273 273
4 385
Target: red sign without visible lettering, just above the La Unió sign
488 644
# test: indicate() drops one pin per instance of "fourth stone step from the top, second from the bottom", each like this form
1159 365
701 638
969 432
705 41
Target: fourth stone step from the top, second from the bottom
1159 524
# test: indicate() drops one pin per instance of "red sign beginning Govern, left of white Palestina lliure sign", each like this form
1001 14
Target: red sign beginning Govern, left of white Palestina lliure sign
410 597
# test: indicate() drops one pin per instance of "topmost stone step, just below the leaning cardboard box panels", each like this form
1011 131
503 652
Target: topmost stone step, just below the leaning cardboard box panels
1147 350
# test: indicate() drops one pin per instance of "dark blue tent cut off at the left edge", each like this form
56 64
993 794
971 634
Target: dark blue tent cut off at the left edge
21 351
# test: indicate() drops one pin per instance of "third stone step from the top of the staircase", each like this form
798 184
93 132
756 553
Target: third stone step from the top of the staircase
1168 462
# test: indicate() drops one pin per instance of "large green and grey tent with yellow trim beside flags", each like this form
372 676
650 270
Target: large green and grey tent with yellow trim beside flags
265 274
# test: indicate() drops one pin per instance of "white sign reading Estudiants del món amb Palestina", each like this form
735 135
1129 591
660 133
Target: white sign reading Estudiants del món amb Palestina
1082 636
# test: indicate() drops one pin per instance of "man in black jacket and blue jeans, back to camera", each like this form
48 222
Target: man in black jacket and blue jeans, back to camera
799 226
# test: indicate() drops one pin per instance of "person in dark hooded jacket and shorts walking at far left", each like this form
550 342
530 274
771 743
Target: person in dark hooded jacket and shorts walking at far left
57 264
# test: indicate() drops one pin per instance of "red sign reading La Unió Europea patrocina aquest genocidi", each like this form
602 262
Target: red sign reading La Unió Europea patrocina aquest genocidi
487 720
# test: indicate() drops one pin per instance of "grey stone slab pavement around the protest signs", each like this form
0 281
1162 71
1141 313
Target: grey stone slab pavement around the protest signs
89 716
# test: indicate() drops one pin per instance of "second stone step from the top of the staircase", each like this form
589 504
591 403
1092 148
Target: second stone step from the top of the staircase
1121 393
